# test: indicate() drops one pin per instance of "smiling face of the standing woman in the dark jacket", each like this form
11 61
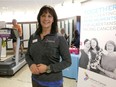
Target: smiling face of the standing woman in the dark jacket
46 20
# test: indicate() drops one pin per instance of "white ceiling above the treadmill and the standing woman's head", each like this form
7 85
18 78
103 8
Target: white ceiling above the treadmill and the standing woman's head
15 5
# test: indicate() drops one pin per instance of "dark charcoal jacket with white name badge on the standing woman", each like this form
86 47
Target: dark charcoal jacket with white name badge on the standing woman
52 50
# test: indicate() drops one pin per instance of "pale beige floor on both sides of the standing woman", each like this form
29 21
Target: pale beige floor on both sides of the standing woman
22 79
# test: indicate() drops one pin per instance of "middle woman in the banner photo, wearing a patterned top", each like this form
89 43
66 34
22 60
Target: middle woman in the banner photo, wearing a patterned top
96 53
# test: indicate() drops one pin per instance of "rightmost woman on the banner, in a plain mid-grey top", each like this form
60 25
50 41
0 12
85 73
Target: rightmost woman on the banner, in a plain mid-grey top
108 61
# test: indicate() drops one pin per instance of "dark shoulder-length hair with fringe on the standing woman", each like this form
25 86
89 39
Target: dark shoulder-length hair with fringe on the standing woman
45 9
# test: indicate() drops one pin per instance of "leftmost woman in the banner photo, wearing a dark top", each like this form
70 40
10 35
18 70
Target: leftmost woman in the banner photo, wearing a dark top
85 55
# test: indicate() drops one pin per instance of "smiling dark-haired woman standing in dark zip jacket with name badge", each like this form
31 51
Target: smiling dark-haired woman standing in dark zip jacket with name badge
45 49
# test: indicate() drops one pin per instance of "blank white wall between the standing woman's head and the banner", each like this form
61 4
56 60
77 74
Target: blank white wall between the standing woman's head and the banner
68 10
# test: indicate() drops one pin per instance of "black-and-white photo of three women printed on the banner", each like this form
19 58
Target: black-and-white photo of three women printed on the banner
101 60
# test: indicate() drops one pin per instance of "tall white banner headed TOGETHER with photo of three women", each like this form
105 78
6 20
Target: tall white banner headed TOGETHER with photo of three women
97 64
